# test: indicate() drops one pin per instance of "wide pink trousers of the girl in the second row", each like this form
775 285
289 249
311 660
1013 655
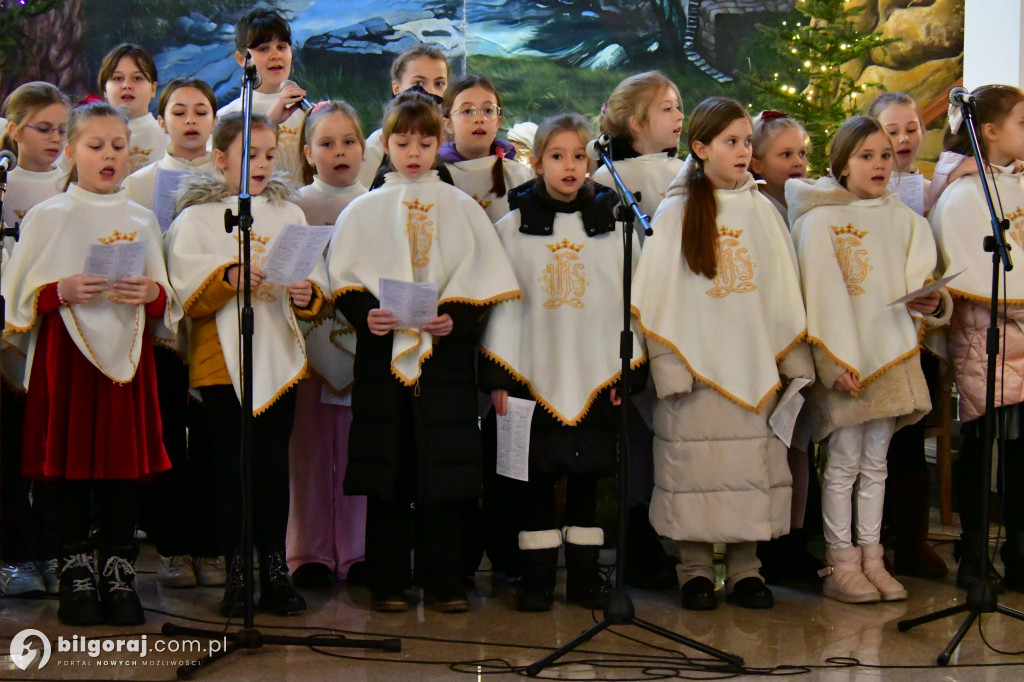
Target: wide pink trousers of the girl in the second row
324 525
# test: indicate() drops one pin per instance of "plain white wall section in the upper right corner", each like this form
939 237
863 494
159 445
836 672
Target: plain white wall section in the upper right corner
994 42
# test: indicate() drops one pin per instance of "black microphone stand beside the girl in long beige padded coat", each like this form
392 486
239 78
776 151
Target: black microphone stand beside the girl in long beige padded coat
620 610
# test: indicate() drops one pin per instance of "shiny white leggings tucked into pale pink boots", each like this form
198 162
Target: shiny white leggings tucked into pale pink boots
857 454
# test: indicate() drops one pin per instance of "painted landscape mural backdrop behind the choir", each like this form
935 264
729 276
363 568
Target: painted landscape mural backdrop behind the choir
544 56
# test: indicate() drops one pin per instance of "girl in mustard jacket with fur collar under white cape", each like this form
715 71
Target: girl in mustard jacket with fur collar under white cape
203 262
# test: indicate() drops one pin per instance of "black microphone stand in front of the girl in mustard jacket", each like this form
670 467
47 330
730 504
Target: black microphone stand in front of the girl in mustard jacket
250 637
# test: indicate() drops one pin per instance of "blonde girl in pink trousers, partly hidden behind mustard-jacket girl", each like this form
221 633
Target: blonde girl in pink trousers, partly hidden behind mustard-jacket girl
326 528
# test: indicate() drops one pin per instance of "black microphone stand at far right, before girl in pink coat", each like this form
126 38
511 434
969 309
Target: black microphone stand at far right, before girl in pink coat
980 594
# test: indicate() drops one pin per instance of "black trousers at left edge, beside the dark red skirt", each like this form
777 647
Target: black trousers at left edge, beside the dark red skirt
28 509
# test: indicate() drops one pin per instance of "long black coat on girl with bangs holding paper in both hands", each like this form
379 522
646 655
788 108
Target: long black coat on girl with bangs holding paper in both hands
438 418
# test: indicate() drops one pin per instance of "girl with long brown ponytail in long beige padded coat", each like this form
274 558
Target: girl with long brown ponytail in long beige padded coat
717 294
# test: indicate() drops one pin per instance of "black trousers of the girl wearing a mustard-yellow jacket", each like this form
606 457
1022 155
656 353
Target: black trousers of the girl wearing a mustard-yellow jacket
271 433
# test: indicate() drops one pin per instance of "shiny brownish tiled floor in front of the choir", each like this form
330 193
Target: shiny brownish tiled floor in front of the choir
804 630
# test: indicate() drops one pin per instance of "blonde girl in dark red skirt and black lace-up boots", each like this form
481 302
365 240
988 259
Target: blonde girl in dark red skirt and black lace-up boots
93 421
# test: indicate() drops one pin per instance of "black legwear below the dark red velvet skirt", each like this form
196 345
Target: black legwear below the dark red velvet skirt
115 513
